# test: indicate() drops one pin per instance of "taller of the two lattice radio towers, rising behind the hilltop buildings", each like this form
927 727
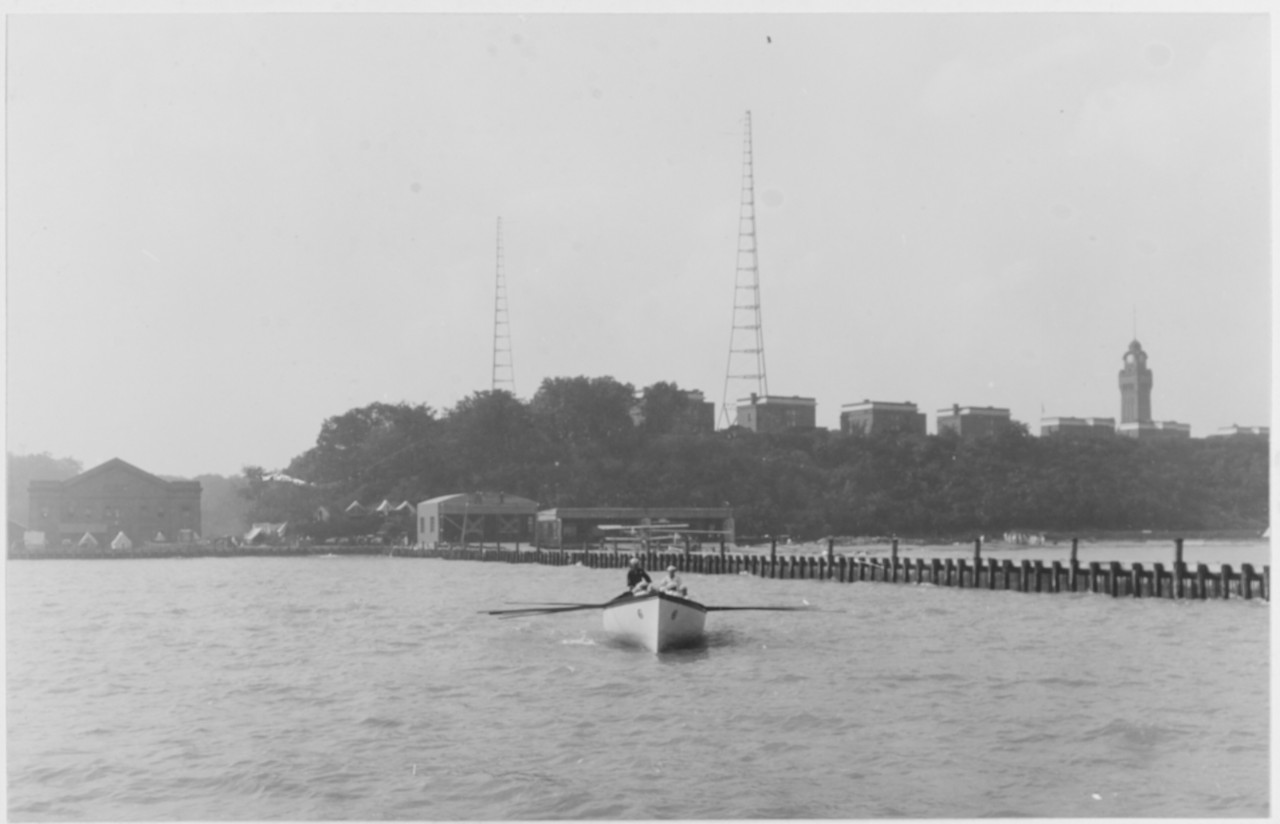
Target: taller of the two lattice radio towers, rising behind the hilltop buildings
746 373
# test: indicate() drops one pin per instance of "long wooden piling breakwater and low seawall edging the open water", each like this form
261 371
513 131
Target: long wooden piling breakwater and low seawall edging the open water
1114 579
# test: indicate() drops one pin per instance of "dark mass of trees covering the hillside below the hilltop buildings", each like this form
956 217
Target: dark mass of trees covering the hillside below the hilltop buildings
588 442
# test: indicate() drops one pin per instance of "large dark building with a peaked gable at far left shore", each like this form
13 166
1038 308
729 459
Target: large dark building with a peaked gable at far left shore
112 500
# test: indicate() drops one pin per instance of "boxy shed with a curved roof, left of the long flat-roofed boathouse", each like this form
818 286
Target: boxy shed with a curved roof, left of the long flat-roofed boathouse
476 519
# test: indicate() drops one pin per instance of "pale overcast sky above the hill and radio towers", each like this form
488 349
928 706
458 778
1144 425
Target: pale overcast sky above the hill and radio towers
223 230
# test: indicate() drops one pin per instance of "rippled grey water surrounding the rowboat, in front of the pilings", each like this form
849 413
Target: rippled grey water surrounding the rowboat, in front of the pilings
371 689
